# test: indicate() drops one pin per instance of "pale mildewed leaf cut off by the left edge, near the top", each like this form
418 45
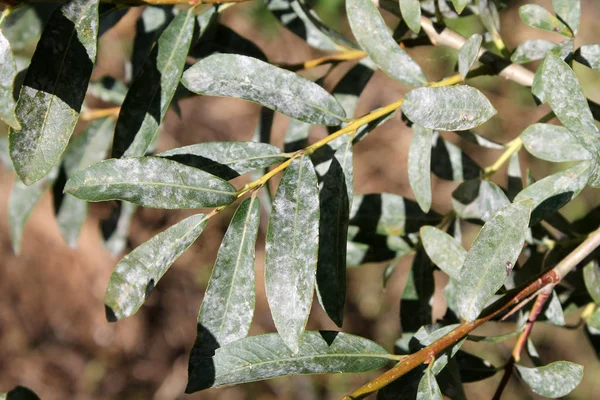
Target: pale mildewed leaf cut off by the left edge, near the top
8 73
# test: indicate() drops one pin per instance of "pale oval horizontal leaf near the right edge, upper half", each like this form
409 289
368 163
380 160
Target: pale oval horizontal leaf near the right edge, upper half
553 143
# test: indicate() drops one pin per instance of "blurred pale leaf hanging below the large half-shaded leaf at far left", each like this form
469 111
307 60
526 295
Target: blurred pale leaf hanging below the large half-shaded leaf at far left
21 203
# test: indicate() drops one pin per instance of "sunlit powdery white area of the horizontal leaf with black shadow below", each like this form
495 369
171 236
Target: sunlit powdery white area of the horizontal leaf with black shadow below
242 157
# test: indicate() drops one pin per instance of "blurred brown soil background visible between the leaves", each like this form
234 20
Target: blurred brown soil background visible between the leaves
54 337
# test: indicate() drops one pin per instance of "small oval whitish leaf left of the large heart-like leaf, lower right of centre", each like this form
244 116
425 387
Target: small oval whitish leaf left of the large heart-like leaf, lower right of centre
445 251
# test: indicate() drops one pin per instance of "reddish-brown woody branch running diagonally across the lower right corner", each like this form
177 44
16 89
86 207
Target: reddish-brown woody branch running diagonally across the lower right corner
551 277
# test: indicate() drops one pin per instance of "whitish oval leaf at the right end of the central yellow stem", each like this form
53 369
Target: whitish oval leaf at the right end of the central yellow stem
452 108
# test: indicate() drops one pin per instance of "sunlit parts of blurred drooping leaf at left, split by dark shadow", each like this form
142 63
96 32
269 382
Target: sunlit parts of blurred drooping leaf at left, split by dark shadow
89 147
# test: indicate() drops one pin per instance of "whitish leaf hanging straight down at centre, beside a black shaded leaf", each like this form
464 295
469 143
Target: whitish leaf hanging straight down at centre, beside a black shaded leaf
291 250
